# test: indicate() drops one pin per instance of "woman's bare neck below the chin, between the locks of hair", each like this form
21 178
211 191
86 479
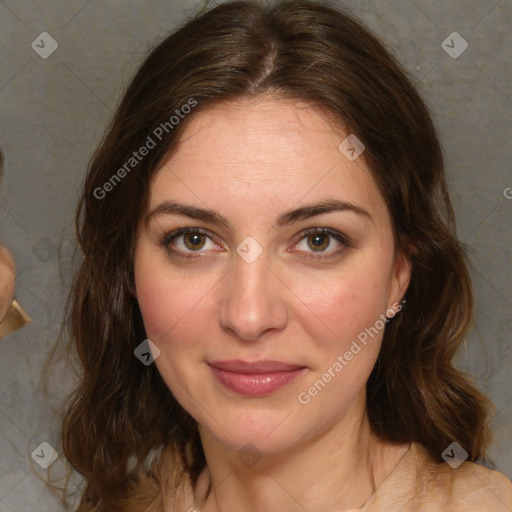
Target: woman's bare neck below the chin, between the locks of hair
337 470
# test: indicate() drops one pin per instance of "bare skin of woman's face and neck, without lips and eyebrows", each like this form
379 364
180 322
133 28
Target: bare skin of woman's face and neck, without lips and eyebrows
251 161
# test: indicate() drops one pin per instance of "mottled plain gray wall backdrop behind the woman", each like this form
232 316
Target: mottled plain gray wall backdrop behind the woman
53 112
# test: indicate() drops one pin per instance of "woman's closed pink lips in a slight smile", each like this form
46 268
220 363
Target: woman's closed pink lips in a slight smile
257 378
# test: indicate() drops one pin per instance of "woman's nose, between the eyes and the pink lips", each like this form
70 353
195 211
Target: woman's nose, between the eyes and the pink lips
253 300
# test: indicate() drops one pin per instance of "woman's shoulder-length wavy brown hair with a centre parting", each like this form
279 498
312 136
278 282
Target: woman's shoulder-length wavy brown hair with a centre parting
121 413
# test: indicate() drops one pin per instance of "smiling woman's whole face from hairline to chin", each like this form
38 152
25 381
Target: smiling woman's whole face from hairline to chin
268 328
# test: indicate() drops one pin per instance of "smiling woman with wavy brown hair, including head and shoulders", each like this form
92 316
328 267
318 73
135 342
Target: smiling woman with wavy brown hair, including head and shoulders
272 291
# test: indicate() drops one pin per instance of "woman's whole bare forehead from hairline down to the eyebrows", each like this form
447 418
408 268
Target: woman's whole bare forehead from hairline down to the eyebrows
263 151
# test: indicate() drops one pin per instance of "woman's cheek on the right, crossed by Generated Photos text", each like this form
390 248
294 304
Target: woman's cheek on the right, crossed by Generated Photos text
347 331
